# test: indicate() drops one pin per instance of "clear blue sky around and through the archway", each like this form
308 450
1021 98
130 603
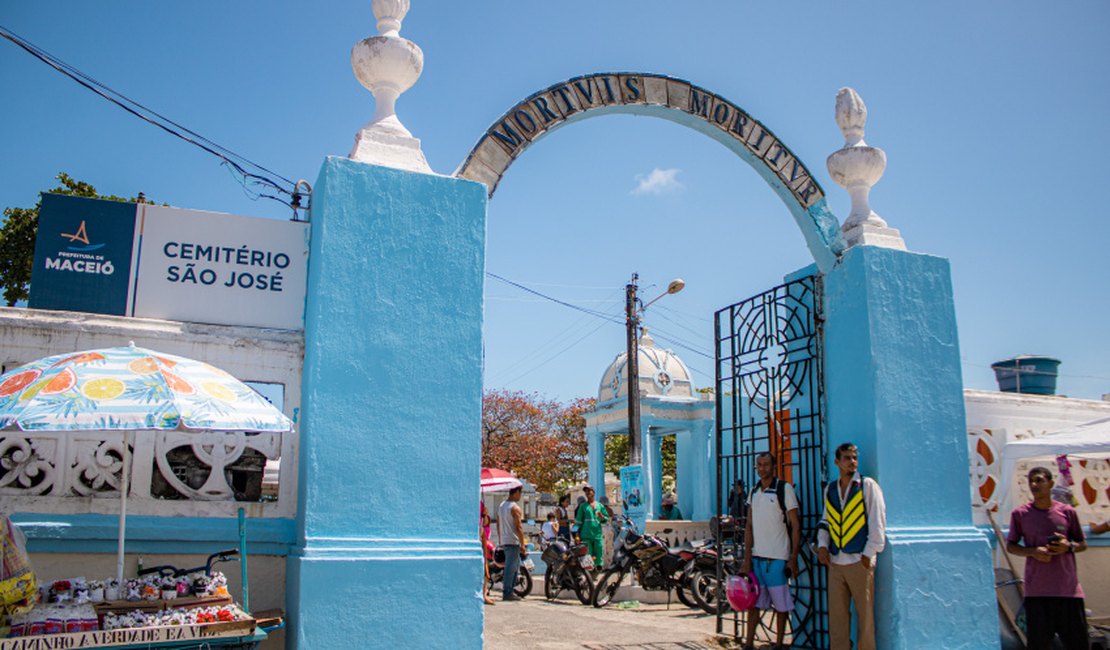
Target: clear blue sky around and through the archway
993 115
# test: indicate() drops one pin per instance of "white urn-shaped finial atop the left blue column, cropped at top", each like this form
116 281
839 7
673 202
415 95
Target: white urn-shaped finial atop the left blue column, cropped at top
388 66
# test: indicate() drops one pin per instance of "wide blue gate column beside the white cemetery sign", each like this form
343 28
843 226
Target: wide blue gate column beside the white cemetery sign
392 400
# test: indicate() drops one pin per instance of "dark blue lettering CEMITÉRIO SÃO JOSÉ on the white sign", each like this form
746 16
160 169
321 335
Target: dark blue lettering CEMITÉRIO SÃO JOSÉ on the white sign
241 268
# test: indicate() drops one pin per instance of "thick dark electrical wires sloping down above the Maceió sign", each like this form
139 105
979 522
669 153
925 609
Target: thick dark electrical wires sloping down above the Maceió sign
163 123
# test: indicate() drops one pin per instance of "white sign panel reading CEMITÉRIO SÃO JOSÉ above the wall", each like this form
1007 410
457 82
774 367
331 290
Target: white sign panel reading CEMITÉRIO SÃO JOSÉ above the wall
210 268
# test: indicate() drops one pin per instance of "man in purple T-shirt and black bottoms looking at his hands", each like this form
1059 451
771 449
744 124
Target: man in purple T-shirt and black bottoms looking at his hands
1050 535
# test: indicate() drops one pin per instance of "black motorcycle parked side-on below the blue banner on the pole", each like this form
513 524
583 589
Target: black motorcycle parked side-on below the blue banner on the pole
648 557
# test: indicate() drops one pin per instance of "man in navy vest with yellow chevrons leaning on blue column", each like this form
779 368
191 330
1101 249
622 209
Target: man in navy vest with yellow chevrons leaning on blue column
850 536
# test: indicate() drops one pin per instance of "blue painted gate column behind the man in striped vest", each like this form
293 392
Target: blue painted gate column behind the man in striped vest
894 388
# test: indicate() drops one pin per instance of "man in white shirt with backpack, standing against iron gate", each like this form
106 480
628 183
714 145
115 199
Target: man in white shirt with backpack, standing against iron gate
773 540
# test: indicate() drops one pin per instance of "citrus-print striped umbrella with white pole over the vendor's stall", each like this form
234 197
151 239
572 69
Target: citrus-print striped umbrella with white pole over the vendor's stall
132 389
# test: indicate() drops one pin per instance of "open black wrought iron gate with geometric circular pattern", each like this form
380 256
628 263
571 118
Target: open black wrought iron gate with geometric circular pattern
770 395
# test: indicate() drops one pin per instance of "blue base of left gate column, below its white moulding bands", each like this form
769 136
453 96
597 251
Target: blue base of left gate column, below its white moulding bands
386 603
